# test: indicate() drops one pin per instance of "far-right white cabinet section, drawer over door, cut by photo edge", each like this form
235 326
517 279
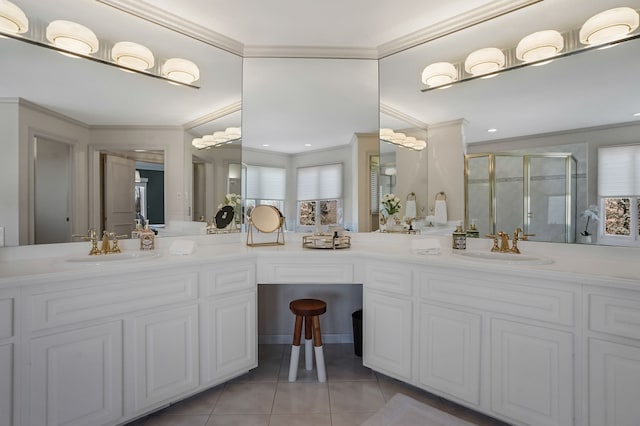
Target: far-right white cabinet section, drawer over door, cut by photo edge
613 347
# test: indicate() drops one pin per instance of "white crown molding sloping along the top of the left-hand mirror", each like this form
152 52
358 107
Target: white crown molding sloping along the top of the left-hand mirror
168 20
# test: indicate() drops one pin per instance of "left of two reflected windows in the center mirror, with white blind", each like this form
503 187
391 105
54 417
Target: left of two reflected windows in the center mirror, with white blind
265 185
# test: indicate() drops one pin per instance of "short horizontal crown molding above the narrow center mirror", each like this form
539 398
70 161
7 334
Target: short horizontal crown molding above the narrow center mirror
312 52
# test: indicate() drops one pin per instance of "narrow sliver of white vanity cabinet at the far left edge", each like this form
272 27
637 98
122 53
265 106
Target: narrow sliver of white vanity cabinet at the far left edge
9 300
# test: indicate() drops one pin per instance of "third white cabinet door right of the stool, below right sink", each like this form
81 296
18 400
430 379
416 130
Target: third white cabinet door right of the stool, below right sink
531 373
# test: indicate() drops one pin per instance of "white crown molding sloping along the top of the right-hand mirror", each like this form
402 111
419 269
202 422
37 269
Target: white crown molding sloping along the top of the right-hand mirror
459 22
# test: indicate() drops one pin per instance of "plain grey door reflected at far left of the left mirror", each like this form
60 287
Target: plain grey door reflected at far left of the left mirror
52 183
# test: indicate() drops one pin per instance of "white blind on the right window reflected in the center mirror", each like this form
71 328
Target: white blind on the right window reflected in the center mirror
319 182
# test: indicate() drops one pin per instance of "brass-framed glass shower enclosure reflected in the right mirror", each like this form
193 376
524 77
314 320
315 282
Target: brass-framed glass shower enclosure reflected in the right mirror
534 192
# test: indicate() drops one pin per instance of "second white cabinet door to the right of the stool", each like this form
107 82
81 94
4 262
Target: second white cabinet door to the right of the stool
450 351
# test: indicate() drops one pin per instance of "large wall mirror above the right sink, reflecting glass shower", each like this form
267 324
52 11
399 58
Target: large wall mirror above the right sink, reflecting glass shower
574 104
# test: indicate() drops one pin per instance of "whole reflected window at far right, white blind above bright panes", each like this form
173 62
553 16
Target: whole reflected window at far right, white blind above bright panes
619 194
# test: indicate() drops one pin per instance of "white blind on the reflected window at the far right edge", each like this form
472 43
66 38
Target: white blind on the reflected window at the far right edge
619 171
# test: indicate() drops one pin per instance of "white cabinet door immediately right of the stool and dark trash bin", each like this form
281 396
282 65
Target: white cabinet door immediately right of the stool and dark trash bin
388 334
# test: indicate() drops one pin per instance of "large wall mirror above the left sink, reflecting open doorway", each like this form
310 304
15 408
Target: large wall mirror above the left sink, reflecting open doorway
84 109
